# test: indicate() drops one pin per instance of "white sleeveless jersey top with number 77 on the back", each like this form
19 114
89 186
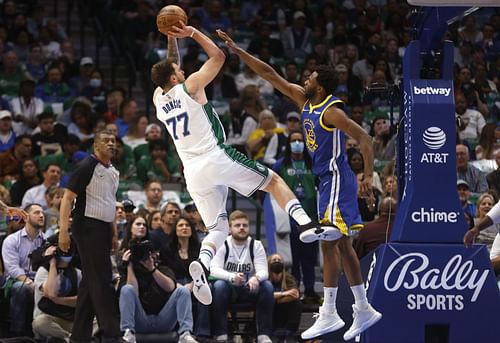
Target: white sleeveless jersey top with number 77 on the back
194 128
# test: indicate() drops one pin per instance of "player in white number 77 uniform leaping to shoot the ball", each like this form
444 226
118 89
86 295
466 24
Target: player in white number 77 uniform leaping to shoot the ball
210 166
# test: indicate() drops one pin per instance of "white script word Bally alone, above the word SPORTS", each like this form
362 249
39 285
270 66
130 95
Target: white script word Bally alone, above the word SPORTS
411 271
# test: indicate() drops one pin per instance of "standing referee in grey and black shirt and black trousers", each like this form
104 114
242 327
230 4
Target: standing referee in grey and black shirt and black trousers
93 184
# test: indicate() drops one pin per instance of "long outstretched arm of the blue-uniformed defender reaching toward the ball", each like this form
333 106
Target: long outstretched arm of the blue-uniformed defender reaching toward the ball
264 70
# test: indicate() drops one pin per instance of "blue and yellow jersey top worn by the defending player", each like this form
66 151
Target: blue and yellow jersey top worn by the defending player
326 145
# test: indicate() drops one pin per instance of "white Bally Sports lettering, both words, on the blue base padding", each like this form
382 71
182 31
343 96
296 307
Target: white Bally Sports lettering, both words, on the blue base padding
440 288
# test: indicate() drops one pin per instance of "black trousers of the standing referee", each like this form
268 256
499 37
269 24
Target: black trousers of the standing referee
96 294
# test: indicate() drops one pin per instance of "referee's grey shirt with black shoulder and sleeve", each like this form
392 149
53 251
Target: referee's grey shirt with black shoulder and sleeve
95 185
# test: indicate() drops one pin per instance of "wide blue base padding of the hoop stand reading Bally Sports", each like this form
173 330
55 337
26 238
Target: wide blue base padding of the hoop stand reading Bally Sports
444 290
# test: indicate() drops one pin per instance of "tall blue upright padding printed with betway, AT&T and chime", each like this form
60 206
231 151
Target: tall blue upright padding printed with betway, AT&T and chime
429 209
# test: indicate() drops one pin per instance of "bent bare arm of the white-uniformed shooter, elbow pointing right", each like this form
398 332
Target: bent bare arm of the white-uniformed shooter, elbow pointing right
198 80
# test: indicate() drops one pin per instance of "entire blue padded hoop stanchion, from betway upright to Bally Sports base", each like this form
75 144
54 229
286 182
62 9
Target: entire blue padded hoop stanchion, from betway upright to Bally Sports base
427 285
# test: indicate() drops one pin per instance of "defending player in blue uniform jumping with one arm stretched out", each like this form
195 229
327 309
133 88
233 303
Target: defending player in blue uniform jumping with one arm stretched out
325 125
